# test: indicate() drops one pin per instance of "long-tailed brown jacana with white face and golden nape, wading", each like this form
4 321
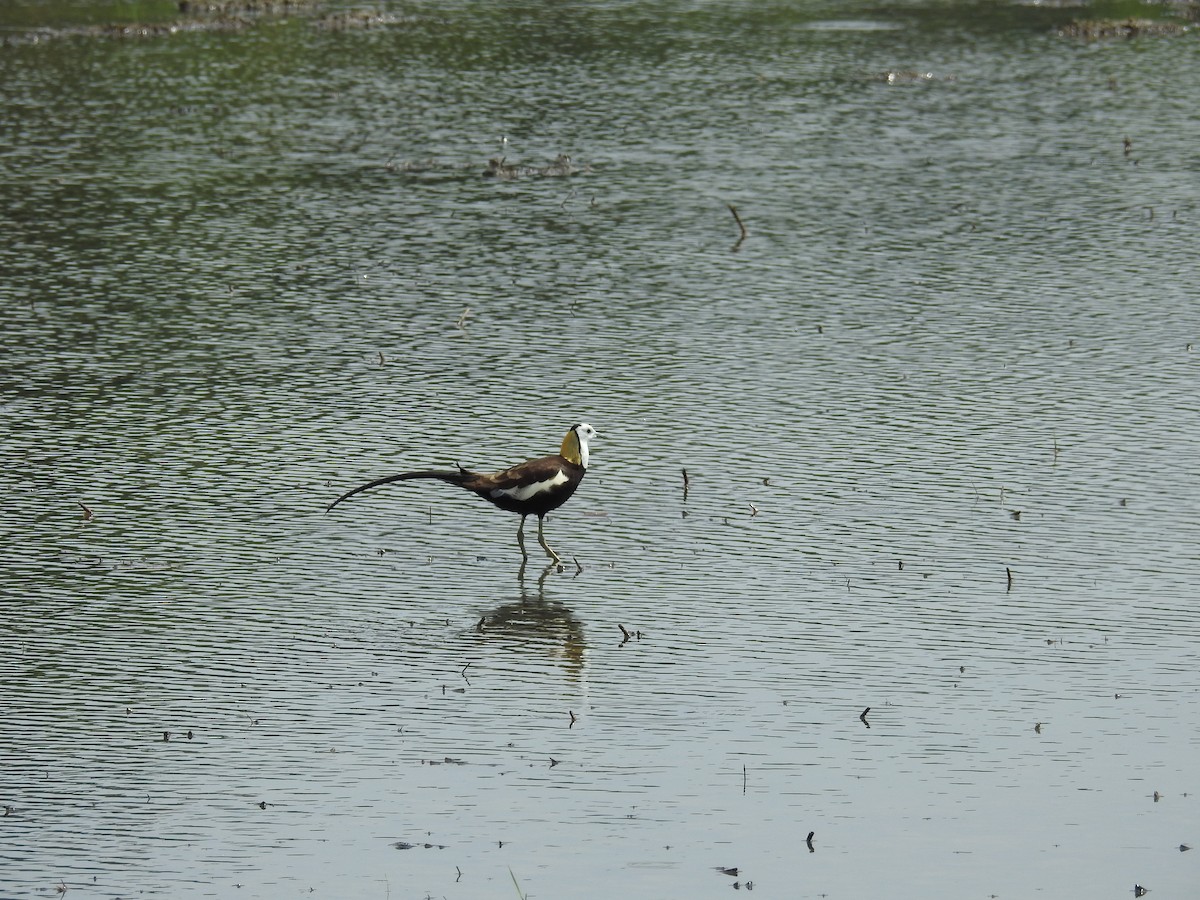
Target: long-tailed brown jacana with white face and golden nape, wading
532 488
